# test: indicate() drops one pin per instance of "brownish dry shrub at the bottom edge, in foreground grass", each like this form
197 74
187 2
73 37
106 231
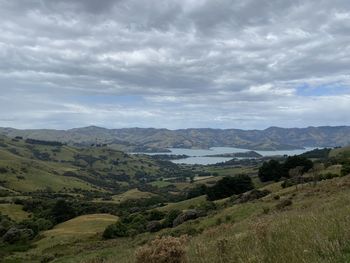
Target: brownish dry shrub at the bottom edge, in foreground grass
163 250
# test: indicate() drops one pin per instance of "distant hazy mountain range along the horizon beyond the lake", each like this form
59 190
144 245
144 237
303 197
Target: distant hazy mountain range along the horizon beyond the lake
153 140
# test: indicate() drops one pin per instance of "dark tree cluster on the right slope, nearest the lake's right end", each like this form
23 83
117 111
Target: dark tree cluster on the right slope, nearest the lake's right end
274 170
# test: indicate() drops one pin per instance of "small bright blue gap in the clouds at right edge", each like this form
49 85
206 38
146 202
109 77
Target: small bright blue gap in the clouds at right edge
332 89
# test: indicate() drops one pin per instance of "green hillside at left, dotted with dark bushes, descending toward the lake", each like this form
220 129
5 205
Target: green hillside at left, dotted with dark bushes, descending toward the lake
29 165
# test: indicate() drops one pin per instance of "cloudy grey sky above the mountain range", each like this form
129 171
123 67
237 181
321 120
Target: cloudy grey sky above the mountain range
174 64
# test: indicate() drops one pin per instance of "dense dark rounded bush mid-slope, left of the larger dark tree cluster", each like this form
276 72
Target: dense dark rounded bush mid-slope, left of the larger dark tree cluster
229 186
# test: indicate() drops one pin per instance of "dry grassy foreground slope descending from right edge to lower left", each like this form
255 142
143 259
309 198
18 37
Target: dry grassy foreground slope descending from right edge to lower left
315 228
